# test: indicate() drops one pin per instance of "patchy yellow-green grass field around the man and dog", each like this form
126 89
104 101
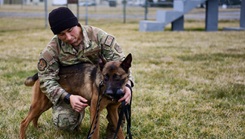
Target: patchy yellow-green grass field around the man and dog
188 84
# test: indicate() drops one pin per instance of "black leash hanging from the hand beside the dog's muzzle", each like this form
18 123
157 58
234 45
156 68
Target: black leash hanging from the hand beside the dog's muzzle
125 110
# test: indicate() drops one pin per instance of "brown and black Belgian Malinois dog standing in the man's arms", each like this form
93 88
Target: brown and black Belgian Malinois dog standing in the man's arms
89 81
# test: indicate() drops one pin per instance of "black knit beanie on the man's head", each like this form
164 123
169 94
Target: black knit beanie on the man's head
61 19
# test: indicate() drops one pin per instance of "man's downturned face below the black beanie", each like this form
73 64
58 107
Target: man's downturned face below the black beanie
71 36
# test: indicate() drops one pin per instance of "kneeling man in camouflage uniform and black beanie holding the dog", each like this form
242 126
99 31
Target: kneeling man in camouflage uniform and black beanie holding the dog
72 44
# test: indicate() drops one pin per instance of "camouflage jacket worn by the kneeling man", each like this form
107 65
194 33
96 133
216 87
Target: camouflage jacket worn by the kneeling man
58 53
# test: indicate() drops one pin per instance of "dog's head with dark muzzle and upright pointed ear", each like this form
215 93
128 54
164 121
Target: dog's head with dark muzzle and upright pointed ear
115 76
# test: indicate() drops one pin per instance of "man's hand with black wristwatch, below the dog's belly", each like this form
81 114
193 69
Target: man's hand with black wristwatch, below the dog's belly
78 103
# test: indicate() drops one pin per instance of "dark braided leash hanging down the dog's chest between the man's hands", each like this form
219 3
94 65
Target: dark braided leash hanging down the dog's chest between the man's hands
95 119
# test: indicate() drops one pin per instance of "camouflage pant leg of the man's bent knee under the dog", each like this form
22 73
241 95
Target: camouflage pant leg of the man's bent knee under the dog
65 118
